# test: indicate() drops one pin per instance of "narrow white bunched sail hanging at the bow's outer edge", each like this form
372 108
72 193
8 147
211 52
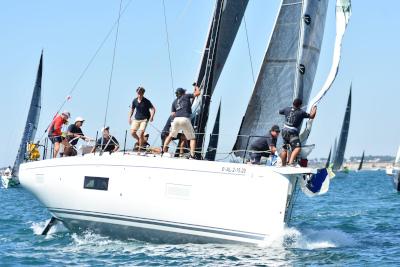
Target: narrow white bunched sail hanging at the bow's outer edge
343 13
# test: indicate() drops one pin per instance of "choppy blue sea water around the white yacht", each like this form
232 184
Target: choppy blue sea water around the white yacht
356 223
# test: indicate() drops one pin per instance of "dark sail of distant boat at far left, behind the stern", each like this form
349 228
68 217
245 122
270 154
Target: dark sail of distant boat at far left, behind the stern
32 119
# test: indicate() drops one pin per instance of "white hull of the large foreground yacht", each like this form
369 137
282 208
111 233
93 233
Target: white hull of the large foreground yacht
165 199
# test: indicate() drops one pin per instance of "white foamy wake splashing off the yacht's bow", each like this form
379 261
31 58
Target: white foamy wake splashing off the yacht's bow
313 239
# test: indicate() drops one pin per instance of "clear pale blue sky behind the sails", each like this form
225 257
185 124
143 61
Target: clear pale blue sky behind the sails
70 32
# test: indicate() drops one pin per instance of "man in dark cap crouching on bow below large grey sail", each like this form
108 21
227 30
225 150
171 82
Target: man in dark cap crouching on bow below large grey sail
264 146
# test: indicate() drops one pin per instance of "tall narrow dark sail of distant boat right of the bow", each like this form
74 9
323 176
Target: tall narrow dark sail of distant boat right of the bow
341 148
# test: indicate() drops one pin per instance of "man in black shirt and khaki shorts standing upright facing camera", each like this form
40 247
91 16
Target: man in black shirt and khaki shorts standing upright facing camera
144 113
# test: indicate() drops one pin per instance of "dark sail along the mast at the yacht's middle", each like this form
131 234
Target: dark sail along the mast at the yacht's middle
225 24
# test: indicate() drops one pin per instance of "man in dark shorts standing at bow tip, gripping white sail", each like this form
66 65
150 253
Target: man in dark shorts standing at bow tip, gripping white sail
290 133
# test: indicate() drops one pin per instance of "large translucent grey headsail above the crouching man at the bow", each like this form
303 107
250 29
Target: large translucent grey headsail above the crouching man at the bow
288 69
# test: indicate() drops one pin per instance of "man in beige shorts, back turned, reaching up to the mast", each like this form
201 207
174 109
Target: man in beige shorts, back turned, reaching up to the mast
182 111
